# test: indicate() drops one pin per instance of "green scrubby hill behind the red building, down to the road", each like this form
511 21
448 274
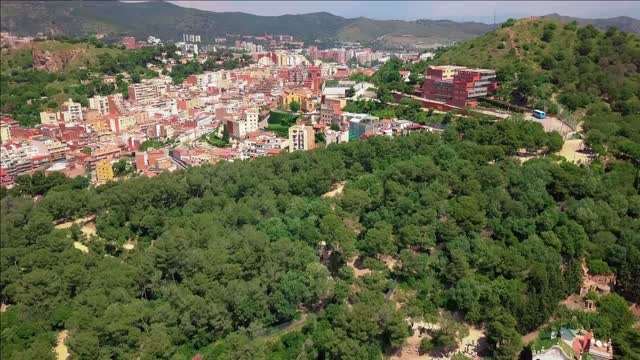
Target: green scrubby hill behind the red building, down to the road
580 73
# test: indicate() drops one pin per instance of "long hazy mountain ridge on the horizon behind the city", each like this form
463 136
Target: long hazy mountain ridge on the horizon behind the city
169 21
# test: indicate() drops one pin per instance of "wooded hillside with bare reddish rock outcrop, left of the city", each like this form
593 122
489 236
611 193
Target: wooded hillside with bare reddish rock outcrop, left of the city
67 69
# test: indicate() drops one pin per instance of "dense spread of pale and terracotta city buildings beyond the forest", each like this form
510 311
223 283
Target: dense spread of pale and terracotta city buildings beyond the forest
82 140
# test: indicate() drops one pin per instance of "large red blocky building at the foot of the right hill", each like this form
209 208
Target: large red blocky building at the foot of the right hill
457 85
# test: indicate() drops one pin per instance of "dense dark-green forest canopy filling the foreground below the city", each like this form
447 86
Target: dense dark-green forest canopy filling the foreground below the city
224 253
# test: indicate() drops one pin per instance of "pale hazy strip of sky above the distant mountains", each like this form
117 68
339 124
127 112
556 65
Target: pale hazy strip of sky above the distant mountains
411 10
